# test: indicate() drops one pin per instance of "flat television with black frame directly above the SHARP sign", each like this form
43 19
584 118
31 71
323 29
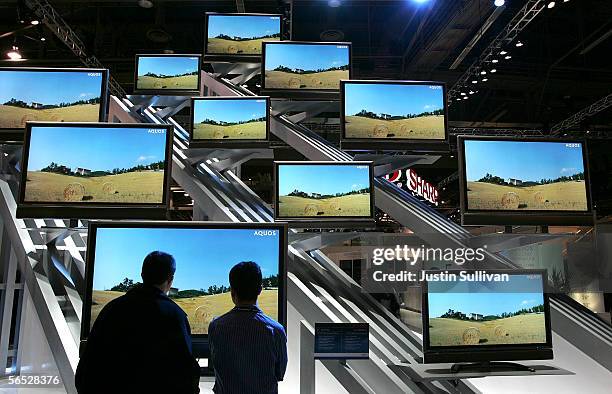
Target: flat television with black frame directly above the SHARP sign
393 115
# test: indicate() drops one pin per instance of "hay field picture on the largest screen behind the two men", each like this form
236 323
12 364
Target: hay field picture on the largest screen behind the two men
203 257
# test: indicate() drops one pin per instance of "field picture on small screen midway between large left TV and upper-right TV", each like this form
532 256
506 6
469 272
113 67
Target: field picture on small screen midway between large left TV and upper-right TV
229 119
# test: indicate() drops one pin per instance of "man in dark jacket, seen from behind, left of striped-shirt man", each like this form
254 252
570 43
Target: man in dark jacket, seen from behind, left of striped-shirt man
141 341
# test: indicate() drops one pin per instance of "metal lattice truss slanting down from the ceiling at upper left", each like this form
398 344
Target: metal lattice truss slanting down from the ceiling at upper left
54 21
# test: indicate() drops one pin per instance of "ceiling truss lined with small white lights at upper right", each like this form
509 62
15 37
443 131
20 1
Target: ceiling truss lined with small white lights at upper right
522 18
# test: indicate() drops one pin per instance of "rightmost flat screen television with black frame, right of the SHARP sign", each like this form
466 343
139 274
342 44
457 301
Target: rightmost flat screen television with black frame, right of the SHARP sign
530 181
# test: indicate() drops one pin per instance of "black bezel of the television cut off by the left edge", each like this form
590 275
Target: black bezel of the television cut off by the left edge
17 133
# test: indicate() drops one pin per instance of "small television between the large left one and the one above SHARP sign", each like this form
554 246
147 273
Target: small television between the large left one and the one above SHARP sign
229 121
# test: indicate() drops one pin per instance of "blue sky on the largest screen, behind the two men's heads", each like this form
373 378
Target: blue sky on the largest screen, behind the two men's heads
203 256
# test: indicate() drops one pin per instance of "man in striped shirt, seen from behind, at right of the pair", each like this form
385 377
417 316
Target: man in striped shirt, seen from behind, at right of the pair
248 350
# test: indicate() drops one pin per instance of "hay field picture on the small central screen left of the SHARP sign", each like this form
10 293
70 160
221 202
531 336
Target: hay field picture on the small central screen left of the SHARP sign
324 191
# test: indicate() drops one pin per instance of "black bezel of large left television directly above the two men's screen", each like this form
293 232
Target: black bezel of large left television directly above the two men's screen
100 210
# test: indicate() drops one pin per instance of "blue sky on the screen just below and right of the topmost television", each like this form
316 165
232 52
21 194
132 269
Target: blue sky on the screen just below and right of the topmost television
306 57
